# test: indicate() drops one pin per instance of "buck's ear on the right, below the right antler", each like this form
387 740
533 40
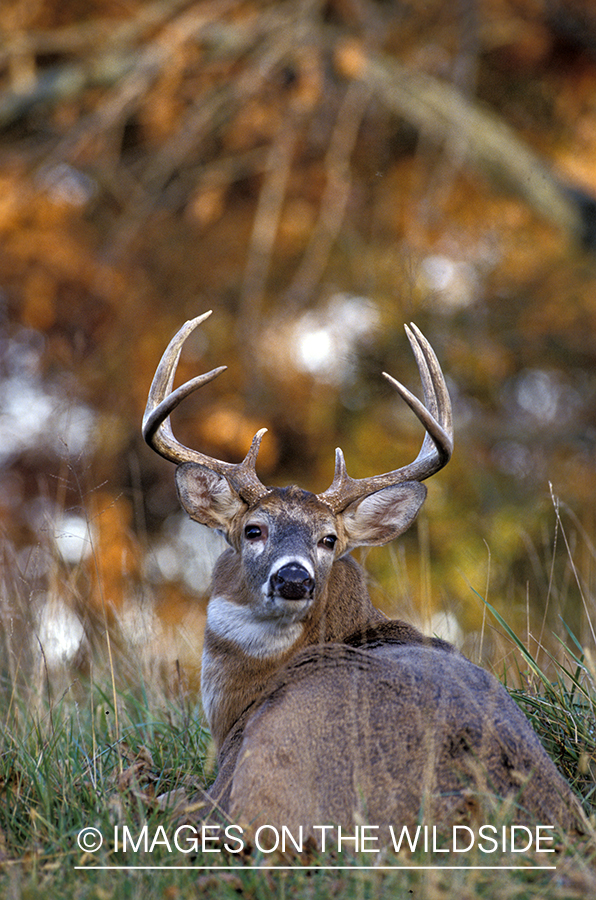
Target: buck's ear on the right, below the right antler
384 515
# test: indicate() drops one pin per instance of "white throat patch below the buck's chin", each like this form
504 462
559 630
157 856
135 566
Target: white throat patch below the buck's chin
262 637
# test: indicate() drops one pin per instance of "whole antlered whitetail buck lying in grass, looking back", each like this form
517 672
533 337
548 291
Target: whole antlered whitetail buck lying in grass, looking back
323 709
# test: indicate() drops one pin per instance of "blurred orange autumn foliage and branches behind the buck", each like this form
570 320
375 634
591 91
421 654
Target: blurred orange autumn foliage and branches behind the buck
317 173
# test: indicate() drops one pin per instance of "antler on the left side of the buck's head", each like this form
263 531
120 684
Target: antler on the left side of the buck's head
157 429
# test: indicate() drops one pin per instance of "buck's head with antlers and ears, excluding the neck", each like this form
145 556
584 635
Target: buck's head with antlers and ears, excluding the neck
265 523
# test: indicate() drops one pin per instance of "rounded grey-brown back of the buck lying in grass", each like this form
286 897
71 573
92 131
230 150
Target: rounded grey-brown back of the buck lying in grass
388 734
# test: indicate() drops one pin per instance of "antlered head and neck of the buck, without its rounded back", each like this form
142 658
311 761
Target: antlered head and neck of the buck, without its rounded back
285 580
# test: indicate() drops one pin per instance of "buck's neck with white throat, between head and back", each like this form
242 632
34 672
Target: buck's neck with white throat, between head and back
242 654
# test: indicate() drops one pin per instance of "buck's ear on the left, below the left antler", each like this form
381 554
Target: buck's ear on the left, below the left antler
207 497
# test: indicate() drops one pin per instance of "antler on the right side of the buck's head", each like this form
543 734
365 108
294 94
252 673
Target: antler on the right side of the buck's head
437 446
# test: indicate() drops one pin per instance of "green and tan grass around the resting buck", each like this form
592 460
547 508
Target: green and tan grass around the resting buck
115 750
